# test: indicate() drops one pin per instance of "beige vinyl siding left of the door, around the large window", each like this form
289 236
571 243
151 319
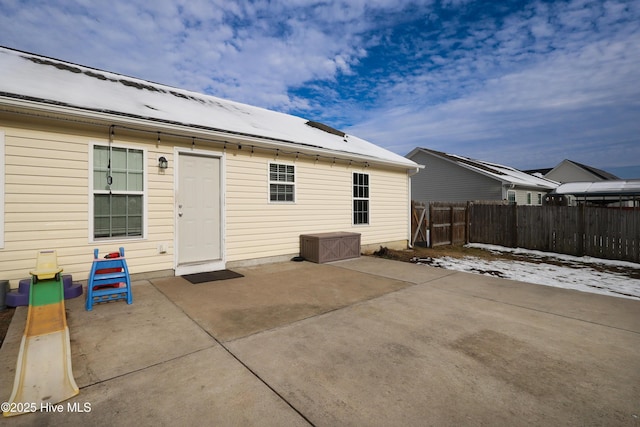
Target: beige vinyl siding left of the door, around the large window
47 202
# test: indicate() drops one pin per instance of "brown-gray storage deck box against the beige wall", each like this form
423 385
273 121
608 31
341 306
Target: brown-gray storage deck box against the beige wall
326 247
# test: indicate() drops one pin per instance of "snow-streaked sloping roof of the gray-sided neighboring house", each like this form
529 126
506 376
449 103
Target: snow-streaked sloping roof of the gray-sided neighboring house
502 173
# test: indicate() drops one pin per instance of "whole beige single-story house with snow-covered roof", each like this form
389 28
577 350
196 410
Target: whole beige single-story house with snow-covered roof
185 182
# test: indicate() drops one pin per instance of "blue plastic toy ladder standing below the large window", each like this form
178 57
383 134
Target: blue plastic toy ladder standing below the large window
108 280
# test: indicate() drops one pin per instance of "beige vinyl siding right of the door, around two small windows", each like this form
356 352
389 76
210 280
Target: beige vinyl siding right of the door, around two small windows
256 228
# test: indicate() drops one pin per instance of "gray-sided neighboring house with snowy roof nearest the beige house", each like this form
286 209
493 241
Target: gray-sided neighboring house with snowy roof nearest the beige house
453 178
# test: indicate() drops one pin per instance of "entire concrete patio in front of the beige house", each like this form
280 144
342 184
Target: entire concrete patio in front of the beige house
359 342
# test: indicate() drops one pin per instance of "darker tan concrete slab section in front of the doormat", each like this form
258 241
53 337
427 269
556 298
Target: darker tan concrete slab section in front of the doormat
272 295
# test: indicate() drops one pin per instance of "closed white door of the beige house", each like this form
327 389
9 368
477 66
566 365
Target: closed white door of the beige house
198 210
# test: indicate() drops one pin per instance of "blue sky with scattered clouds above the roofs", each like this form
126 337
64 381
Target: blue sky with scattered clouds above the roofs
522 83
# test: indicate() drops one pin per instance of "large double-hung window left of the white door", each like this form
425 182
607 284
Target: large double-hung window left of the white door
118 192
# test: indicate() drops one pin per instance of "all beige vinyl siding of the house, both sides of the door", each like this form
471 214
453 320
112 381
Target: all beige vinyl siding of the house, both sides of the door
48 200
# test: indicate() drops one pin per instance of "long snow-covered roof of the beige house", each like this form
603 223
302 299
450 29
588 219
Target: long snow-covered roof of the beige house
55 82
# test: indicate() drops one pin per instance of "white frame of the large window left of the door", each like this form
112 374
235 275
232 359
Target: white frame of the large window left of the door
144 193
